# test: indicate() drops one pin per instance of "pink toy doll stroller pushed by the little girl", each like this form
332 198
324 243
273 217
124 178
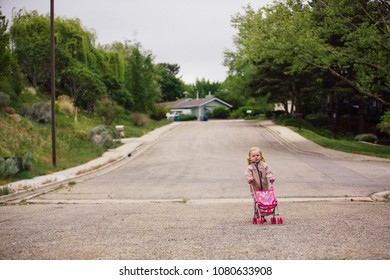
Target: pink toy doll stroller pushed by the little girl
265 204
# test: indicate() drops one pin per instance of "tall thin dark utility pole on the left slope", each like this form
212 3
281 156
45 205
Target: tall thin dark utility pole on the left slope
53 85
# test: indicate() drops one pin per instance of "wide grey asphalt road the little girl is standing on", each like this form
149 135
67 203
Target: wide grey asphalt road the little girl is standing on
185 197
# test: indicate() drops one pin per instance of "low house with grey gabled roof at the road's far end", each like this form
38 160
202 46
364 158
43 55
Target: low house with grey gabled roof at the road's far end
196 107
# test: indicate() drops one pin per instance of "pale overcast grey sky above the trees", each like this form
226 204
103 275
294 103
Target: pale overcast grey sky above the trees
191 33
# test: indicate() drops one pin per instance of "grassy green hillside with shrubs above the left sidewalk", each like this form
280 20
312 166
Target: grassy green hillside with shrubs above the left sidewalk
20 135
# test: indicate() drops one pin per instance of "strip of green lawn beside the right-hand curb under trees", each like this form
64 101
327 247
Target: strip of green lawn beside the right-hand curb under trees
345 145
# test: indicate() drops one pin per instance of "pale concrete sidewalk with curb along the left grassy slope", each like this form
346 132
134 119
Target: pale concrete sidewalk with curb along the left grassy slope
108 161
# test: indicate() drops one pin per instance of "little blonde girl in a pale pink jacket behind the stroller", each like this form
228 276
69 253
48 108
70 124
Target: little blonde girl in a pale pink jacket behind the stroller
258 171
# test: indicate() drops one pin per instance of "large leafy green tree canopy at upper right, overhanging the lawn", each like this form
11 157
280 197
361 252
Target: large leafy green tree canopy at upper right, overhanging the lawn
344 43
